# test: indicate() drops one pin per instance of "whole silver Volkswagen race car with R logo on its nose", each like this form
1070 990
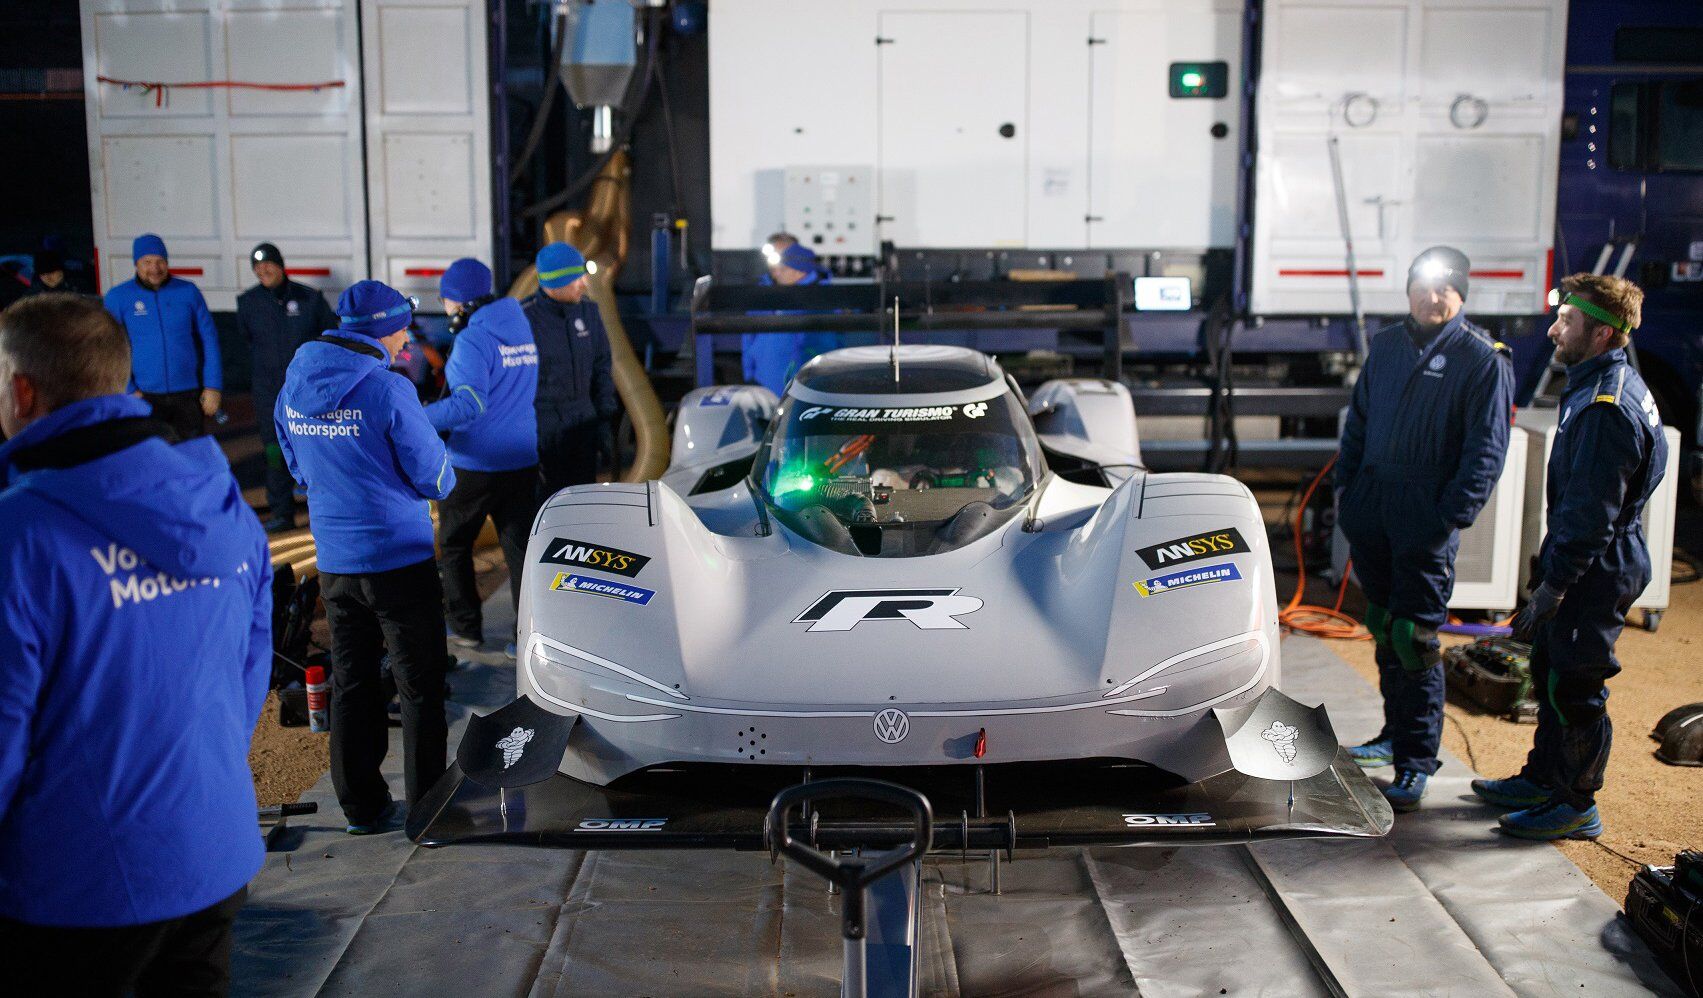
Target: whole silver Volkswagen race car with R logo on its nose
903 566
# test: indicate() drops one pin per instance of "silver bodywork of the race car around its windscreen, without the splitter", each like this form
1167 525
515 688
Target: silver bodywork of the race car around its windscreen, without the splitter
733 640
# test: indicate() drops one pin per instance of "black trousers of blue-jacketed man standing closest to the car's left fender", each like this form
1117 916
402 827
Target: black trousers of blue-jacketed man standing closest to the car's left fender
507 498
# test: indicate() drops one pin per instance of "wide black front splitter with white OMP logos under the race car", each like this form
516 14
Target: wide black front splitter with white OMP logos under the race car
1011 806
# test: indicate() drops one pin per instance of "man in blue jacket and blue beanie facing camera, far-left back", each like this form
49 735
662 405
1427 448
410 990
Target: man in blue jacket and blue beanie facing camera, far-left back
173 345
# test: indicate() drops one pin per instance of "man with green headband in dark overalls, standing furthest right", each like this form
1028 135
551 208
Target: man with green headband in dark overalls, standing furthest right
1607 462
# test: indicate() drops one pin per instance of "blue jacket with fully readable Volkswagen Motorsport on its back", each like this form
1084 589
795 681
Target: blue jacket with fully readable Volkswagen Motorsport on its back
355 435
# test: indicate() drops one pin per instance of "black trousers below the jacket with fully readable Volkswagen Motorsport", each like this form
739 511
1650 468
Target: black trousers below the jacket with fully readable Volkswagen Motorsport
396 612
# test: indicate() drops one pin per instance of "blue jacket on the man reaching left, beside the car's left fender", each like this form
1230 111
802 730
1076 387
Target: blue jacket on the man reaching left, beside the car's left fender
493 377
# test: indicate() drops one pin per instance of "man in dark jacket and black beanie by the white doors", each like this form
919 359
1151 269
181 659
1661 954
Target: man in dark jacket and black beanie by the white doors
277 318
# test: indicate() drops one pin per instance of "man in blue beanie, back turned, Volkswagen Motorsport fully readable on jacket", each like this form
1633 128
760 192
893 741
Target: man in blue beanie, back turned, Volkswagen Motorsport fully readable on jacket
355 435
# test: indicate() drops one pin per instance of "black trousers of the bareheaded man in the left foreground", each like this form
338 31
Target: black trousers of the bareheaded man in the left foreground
185 956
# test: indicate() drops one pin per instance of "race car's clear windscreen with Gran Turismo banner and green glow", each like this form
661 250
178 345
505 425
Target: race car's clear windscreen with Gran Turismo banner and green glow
903 464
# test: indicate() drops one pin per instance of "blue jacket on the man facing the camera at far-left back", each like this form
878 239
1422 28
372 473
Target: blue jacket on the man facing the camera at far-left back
173 343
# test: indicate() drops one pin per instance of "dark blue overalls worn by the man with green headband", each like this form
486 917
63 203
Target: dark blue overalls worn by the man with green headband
1608 457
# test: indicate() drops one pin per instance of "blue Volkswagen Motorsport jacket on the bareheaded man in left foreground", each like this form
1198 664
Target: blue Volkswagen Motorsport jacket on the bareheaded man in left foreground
135 650
